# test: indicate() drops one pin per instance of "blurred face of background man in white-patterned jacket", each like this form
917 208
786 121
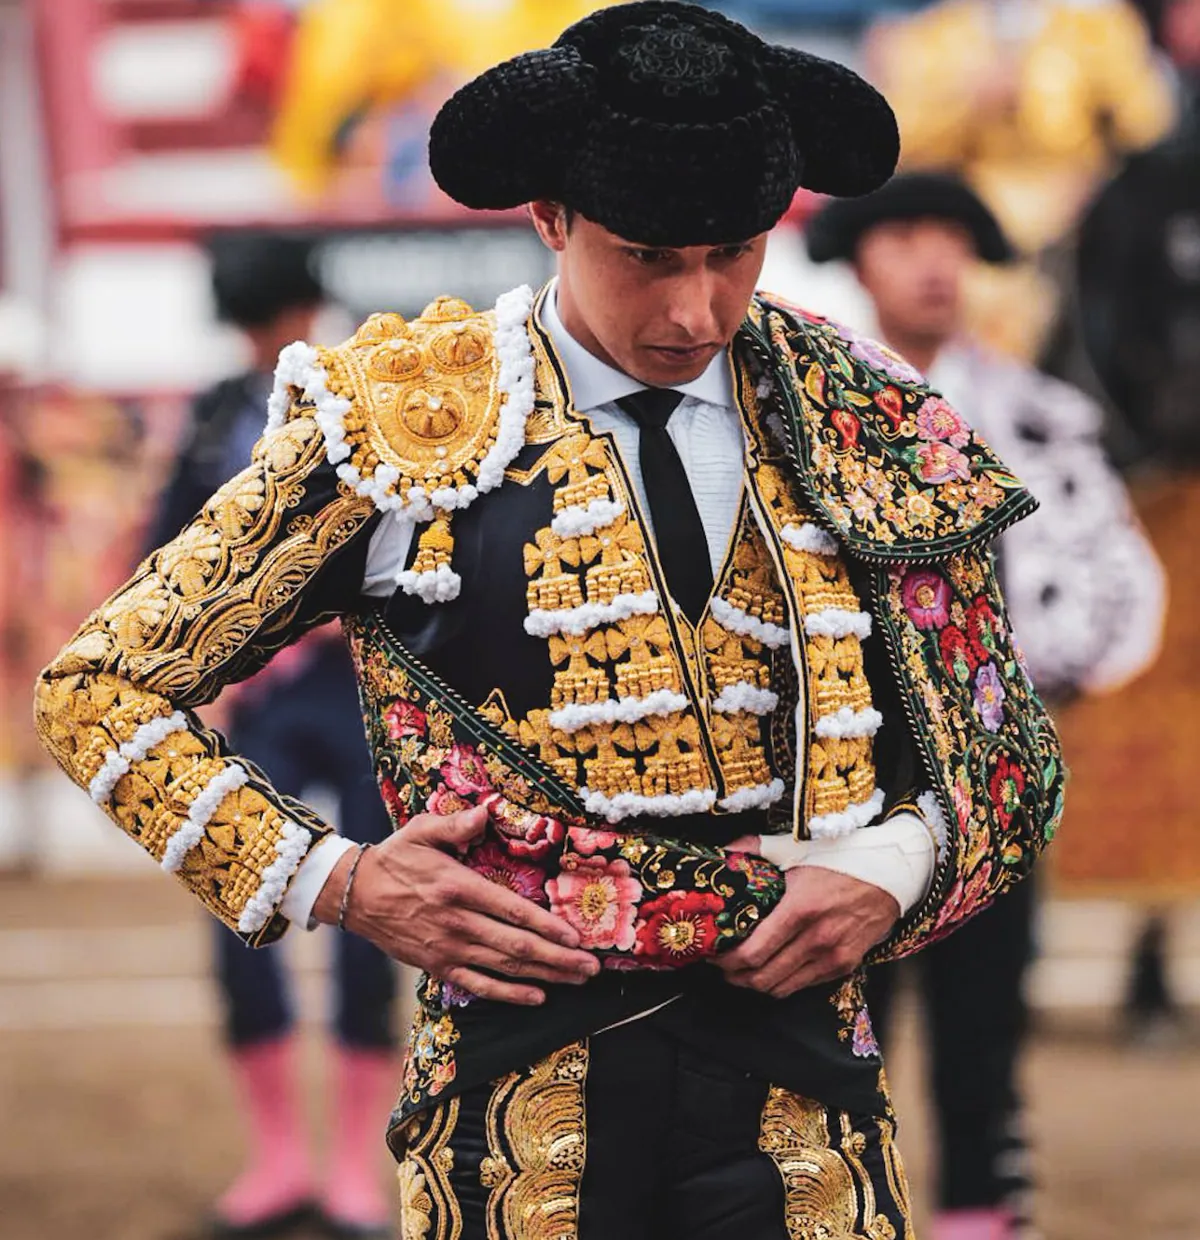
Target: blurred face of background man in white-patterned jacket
914 273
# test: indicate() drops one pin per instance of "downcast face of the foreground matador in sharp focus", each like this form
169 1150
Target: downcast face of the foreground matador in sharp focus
660 316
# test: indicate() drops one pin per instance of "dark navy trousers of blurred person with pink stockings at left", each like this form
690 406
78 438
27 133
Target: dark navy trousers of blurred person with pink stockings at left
311 732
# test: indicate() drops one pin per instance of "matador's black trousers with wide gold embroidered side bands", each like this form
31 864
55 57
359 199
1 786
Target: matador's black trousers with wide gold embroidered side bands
633 1136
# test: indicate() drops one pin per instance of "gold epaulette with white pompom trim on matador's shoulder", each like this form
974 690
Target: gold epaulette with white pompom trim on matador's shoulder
420 416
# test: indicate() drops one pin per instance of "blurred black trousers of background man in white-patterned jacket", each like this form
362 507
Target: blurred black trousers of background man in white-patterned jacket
971 989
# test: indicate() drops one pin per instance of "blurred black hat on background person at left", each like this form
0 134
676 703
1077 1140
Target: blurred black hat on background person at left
257 276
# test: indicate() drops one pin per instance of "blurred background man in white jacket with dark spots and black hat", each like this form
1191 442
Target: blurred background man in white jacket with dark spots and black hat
1087 598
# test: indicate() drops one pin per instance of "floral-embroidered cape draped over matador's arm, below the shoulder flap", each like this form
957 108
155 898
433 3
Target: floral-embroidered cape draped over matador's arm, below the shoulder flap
989 745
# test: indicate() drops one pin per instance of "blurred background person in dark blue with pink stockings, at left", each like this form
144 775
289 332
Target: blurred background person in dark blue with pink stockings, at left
299 721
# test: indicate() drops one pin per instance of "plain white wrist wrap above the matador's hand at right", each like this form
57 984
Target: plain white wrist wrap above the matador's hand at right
898 856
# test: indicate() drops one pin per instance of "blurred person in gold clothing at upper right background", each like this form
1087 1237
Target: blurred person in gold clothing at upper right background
1032 102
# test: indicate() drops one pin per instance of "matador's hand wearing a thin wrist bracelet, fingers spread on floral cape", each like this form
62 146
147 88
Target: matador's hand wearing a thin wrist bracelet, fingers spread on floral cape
418 903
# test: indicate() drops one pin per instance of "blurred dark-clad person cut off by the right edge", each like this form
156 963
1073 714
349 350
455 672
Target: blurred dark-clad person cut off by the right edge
1139 267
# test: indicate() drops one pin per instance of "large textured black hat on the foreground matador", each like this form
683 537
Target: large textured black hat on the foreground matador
666 125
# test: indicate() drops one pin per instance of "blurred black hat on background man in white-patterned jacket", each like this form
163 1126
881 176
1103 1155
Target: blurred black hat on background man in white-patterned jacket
836 230
